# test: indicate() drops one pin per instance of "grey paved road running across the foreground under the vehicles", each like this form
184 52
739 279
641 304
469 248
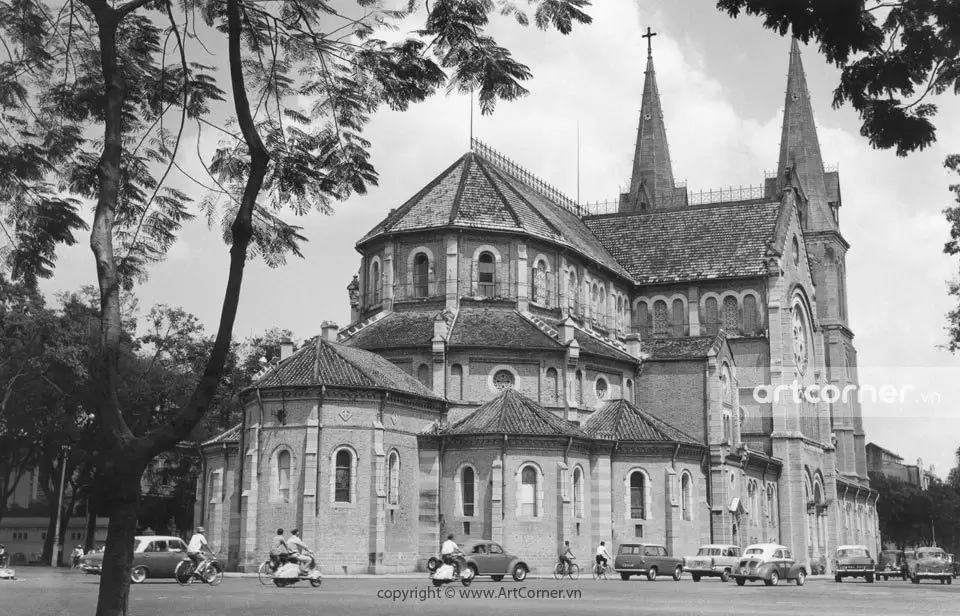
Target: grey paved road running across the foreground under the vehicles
42 592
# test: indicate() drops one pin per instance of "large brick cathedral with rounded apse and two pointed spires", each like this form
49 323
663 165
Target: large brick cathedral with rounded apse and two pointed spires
522 369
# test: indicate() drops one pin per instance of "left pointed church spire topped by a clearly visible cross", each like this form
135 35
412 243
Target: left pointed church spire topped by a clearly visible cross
651 184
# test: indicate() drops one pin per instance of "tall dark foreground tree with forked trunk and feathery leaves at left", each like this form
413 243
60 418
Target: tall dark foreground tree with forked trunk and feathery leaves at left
100 66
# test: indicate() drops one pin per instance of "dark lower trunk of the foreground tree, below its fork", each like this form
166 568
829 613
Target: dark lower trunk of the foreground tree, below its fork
118 556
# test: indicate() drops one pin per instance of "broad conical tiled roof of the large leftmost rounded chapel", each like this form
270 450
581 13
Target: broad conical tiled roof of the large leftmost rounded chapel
320 362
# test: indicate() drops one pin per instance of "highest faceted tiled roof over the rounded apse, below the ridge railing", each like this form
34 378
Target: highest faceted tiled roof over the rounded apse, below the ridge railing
474 193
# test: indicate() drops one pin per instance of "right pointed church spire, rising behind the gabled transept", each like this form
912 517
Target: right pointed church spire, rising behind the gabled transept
800 157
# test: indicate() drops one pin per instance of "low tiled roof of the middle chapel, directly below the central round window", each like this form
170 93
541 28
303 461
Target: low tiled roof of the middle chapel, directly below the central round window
515 414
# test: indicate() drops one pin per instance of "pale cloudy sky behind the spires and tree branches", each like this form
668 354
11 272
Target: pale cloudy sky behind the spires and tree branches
722 85
